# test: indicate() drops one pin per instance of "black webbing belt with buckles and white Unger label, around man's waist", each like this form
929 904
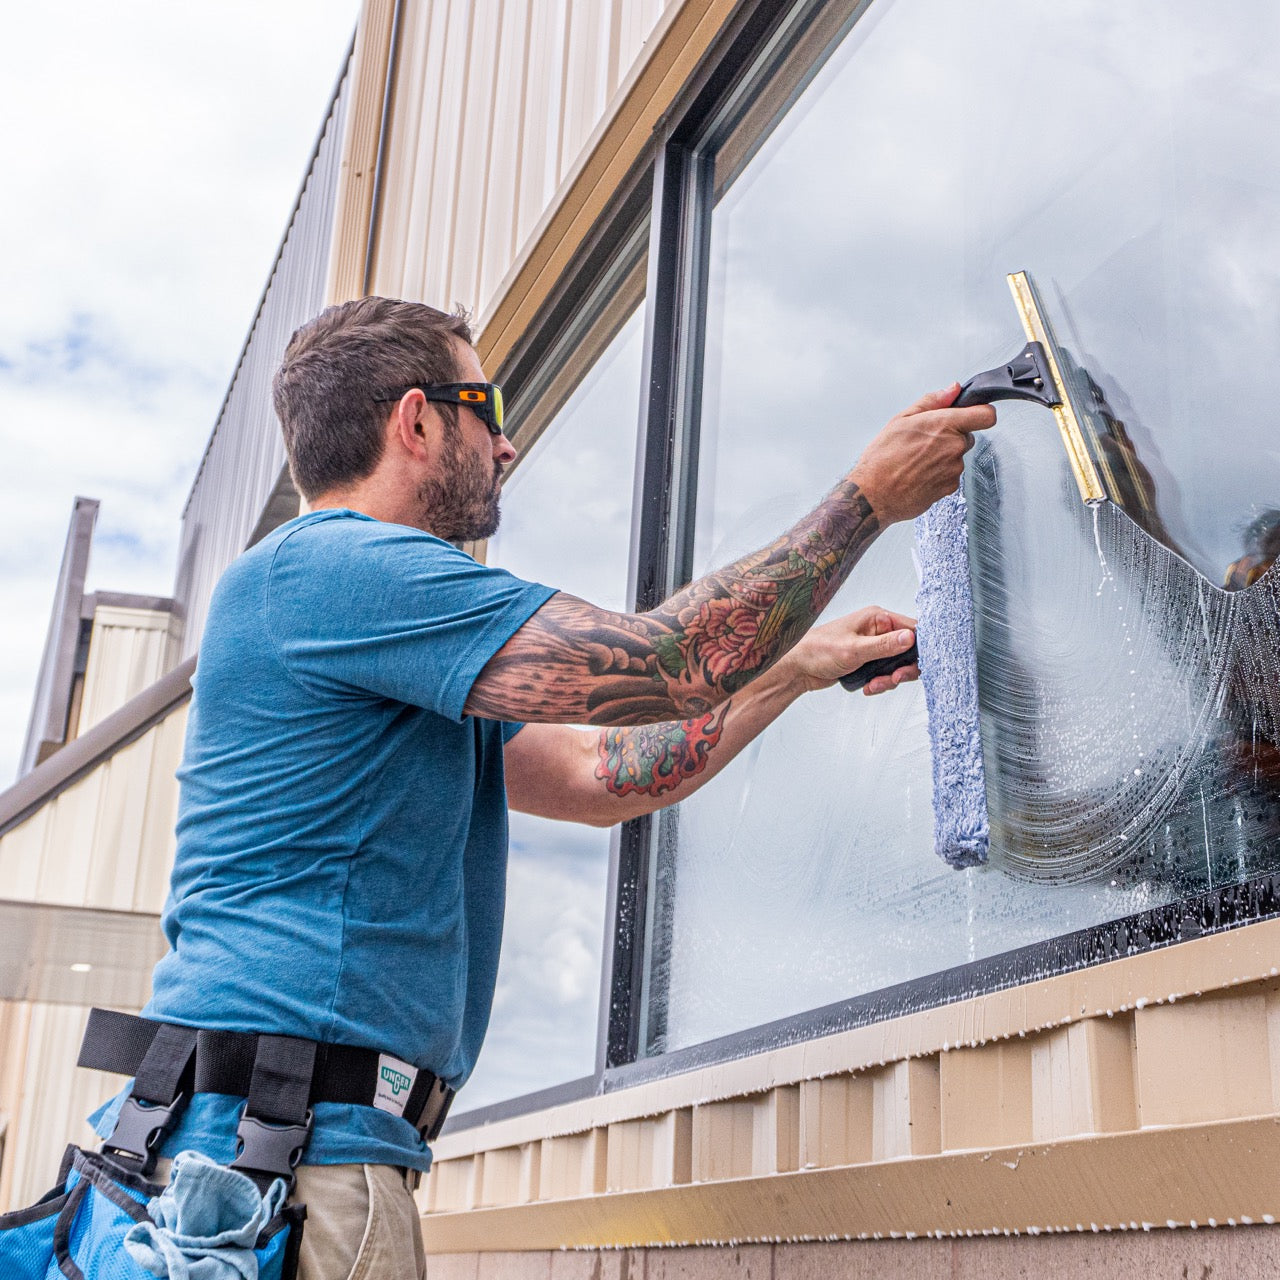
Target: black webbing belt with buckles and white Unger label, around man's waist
281 1078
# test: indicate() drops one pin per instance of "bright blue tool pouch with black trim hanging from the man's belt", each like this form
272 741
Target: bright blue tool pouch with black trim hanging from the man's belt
79 1231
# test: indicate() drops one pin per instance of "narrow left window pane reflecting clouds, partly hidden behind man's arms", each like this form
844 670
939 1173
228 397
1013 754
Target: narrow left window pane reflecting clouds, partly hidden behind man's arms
566 522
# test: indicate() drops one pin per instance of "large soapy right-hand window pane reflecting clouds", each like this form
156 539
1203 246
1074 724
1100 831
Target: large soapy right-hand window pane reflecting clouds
1131 717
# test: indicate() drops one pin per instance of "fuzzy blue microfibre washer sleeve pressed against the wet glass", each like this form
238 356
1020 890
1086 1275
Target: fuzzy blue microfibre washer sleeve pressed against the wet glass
949 671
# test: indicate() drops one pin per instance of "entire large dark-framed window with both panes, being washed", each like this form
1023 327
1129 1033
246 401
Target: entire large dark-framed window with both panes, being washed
835 208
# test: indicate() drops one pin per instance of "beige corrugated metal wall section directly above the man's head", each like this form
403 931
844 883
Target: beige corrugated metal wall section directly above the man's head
493 108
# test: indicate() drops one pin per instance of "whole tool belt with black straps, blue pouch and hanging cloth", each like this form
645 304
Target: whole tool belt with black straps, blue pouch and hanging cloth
107 1222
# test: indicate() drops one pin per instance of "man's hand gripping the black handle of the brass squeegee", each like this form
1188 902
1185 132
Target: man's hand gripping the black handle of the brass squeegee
920 456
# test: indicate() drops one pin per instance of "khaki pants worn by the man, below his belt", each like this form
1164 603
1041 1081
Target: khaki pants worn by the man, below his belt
362 1223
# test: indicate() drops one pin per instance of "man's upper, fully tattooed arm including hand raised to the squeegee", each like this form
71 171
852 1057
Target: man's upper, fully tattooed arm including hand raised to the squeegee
575 664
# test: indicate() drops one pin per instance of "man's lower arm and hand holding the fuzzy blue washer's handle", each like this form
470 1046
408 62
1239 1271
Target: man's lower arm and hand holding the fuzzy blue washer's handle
607 776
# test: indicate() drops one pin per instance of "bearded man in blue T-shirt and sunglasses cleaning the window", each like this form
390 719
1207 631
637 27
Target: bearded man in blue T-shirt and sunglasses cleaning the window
369 701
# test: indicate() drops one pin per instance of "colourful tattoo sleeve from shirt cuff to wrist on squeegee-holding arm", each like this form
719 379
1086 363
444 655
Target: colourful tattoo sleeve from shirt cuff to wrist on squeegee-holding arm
575 664
